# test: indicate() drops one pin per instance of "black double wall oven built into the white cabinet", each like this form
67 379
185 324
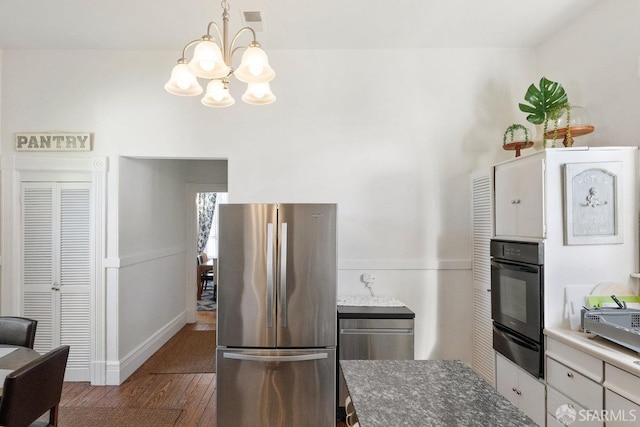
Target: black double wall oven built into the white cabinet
517 302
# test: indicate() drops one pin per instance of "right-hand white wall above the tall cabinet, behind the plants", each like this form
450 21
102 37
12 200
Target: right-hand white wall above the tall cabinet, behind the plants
597 59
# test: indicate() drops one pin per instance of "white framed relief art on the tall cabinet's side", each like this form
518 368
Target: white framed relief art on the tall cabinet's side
592 203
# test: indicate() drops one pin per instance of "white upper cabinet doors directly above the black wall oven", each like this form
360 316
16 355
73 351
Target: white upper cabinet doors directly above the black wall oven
519 198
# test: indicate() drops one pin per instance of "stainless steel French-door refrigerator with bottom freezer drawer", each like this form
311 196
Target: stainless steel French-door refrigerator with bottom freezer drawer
276 316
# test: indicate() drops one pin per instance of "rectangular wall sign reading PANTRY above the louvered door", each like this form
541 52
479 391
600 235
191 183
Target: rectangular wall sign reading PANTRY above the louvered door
53 141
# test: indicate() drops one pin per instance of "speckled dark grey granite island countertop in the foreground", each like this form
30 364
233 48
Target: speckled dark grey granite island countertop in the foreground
425 393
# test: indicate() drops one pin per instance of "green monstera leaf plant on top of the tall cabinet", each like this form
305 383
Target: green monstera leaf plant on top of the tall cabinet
546 102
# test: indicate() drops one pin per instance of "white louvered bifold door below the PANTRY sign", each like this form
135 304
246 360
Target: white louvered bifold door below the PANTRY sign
56 268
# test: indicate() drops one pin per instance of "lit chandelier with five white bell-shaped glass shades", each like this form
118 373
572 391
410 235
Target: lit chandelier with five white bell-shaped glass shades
213 62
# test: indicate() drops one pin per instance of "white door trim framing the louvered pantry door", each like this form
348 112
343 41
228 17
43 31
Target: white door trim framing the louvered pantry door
17 168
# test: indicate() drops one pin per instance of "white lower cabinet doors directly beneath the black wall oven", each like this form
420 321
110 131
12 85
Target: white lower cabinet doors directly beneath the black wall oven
521 389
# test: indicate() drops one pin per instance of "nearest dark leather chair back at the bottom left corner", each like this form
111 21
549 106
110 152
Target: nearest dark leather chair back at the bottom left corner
34 389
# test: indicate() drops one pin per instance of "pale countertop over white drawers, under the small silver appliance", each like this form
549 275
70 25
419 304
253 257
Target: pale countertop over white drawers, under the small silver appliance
598 347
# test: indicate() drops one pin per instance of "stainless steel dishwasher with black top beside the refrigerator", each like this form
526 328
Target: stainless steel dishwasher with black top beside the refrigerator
372 333
